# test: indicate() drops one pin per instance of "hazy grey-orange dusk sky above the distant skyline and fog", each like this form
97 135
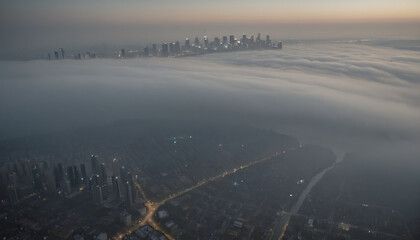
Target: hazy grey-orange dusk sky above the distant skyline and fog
28 26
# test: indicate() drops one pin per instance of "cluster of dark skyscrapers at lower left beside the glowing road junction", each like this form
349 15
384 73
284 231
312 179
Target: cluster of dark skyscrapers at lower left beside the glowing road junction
24 178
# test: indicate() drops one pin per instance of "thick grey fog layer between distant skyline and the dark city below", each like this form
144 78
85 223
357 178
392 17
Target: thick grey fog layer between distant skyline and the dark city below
343 95
